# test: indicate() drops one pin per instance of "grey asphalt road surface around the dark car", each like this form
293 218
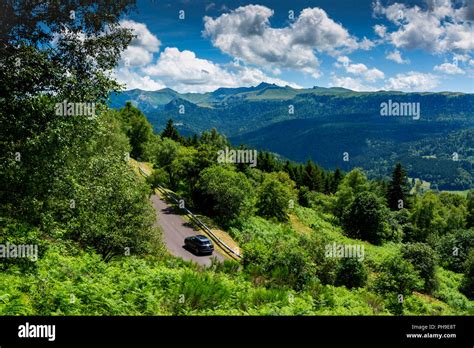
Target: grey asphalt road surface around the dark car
175 229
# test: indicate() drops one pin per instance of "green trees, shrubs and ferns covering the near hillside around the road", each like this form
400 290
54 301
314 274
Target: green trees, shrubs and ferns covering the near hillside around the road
69 188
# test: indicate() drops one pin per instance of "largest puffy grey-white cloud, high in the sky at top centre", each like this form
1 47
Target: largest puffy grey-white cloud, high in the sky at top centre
245 33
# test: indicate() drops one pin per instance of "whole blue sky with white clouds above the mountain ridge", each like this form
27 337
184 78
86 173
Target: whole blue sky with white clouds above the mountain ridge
199 46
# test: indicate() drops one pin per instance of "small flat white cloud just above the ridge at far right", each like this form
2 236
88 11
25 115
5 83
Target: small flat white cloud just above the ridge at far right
412 81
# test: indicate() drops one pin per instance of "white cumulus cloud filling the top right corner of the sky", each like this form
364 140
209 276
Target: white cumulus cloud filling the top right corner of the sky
437 28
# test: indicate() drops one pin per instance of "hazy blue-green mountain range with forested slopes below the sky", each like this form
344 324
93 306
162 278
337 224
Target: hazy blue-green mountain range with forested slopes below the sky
335 127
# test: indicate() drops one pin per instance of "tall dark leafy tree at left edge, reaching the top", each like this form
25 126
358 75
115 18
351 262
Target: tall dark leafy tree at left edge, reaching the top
51 53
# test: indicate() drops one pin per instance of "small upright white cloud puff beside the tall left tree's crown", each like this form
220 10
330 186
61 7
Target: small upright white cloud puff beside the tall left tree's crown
143 45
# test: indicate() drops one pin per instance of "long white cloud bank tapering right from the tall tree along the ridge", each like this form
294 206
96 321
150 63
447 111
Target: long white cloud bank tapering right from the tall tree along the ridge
180 70
